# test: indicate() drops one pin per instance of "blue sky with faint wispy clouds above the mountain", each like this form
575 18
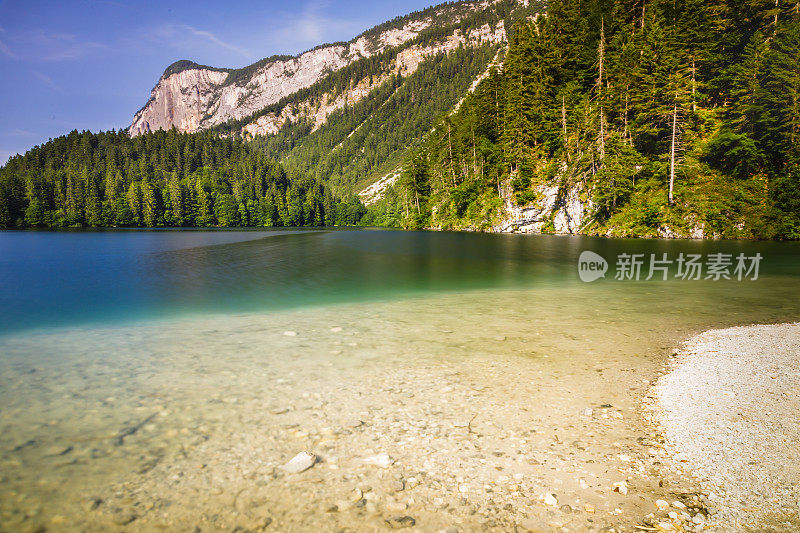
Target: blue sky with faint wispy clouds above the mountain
91 64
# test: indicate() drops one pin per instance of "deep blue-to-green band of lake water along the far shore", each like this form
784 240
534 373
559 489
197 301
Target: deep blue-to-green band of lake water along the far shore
94 277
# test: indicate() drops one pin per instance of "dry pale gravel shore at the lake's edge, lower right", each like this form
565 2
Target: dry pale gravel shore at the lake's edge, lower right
728 411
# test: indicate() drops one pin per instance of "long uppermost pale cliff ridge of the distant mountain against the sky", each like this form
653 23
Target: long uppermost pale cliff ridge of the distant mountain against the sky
193 97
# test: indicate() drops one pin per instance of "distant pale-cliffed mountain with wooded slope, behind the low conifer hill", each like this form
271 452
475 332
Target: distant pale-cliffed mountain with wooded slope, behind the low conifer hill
345 113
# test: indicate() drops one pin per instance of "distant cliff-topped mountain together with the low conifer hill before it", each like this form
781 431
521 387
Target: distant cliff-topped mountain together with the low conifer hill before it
285 141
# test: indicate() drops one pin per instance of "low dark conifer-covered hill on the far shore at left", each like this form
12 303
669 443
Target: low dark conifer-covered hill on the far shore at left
164 178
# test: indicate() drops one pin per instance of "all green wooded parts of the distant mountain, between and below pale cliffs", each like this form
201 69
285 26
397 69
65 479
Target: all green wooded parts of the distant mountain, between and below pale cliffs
369 137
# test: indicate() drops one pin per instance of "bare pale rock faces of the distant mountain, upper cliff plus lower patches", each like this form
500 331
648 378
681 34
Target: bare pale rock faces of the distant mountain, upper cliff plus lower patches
198 98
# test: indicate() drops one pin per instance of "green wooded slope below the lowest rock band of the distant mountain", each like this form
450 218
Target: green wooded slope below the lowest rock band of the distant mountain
373 134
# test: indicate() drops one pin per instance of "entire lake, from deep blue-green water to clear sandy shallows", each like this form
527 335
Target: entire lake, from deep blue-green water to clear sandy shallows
159 379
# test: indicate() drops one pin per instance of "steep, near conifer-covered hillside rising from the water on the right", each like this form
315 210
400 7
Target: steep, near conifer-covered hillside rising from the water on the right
664 118
